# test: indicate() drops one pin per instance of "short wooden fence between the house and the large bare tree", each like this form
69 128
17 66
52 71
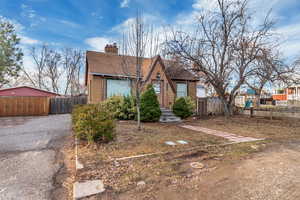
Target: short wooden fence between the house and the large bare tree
209 106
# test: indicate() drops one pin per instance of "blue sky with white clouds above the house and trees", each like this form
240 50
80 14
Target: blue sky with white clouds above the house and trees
90 24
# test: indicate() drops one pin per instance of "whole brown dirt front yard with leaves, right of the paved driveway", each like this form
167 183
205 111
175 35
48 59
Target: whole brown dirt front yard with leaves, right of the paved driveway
256 170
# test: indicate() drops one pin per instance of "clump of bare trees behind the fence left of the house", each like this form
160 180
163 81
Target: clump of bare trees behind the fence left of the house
55 70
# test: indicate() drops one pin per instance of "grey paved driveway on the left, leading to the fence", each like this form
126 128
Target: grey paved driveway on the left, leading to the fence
28 155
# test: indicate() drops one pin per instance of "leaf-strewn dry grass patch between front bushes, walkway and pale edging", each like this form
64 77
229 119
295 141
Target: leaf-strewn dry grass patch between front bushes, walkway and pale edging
151 139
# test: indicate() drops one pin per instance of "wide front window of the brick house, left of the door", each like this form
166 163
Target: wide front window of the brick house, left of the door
118 87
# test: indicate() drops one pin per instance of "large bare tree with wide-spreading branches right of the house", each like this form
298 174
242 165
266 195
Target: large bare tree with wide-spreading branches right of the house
224 47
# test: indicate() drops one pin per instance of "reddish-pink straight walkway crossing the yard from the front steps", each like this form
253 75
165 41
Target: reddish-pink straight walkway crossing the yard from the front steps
230 136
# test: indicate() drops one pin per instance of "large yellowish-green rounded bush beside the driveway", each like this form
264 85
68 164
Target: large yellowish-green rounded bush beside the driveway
93 123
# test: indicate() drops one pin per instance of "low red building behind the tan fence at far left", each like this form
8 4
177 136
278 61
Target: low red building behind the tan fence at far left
26 91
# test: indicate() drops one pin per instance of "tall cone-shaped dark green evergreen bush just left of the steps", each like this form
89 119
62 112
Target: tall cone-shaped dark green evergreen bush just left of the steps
150 110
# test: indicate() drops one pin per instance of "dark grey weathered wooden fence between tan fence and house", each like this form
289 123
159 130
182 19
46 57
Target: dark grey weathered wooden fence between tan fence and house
63 105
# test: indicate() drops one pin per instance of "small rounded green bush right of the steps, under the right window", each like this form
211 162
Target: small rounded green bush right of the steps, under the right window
181 108
